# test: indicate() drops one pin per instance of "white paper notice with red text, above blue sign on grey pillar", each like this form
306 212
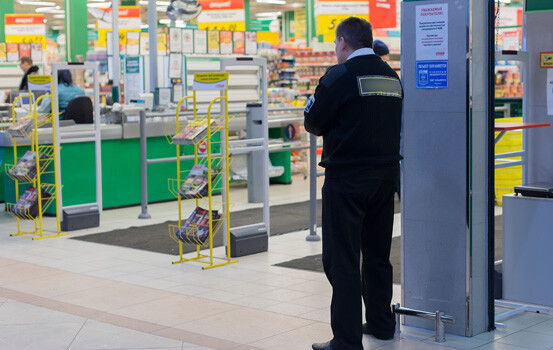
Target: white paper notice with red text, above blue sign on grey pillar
432 36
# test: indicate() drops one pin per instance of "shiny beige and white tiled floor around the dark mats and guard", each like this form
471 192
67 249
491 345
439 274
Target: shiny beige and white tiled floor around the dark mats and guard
61 293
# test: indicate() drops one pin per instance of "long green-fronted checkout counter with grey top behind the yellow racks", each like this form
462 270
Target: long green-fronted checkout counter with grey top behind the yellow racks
121 158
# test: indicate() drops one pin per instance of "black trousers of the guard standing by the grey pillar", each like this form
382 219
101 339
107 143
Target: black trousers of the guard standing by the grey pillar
358 215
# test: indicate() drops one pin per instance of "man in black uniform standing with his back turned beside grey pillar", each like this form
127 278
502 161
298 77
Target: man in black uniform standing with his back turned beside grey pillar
357 109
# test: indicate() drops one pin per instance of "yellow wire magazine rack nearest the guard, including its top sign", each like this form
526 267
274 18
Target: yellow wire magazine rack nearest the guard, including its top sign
209 177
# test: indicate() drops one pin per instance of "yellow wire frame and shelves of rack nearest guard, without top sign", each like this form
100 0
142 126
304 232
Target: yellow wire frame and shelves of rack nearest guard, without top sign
218 181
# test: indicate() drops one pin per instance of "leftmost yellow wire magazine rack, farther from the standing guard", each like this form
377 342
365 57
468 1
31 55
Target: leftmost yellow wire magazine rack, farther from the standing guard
46 170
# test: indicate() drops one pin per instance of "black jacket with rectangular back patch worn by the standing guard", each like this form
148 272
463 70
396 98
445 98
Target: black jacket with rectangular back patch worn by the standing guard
357 108
